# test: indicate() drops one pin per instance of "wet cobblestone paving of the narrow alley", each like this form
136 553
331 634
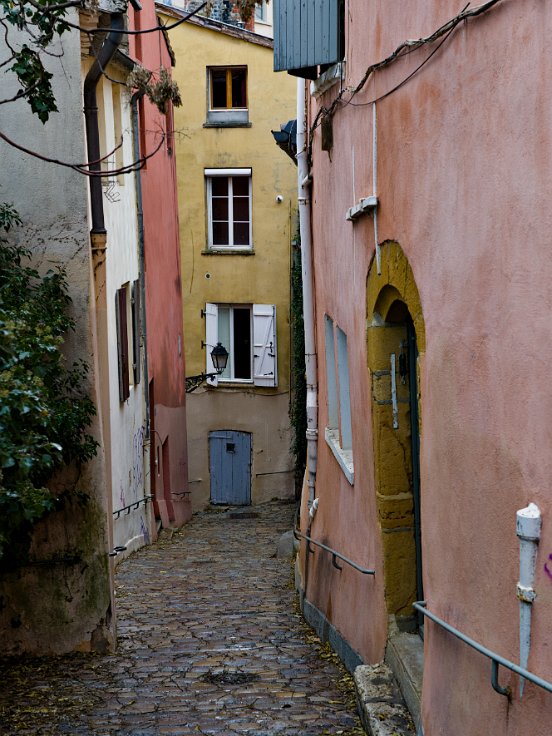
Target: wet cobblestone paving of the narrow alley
210 642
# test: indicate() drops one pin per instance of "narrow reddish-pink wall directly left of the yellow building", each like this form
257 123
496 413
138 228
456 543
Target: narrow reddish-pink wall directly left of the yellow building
163 286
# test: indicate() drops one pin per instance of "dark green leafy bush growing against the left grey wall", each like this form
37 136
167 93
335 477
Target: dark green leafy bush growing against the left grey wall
44 411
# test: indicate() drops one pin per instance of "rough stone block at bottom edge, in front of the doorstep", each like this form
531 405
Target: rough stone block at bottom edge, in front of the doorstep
381 707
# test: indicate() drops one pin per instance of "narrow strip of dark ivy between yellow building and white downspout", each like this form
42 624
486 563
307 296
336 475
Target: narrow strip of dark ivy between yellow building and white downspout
298 406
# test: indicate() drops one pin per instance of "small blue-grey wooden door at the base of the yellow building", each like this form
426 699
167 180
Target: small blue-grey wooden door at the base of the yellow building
230 467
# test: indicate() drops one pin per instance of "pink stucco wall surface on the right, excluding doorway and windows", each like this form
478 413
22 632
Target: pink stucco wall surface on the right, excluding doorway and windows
464 180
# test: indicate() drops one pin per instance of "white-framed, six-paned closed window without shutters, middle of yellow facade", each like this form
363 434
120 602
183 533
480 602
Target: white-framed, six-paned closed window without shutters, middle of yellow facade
229 209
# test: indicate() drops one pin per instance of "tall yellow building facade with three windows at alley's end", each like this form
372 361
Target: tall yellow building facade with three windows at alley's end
237 214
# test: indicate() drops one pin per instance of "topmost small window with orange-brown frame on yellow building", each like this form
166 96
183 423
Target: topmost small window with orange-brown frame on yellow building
227 93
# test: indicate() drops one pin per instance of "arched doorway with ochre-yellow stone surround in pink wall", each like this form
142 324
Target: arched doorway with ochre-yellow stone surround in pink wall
396 337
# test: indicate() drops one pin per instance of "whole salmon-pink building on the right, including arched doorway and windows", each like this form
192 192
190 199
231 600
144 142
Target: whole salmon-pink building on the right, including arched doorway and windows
425 185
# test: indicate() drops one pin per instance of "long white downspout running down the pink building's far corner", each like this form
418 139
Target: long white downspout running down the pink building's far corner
303 201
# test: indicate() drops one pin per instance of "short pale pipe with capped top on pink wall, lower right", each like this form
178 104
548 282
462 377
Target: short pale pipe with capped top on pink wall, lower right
528 529
